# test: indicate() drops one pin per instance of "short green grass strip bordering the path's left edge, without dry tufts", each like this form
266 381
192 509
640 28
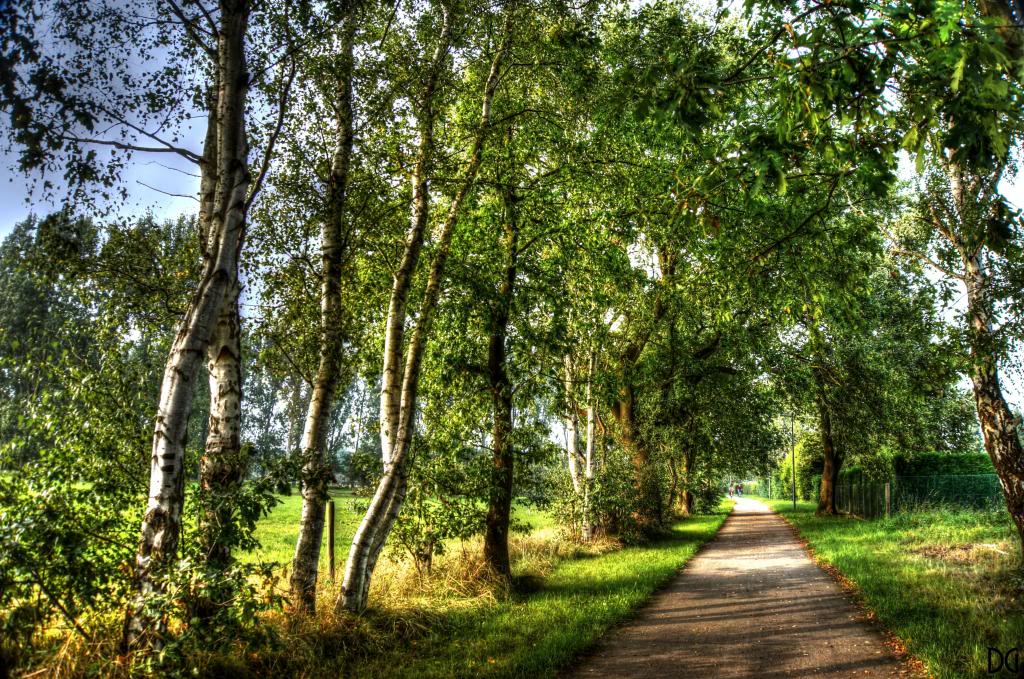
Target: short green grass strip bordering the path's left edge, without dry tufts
537 634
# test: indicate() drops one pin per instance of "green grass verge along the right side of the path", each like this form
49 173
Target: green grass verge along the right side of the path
946 582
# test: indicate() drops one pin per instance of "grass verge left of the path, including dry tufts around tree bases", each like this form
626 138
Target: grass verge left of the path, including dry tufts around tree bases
460 620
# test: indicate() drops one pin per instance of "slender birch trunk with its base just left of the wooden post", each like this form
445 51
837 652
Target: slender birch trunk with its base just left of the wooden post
334 240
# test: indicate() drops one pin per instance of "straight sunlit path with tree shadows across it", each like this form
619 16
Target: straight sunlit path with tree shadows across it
751 605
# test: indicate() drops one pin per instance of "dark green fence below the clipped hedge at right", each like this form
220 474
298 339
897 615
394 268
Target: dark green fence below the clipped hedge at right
868 498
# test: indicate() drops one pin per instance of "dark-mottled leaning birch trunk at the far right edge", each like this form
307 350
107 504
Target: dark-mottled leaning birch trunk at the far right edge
999 427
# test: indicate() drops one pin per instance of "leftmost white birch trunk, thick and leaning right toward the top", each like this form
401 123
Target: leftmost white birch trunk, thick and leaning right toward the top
226 177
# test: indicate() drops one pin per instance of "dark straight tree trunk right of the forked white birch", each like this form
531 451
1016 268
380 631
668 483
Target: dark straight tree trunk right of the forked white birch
496 536
